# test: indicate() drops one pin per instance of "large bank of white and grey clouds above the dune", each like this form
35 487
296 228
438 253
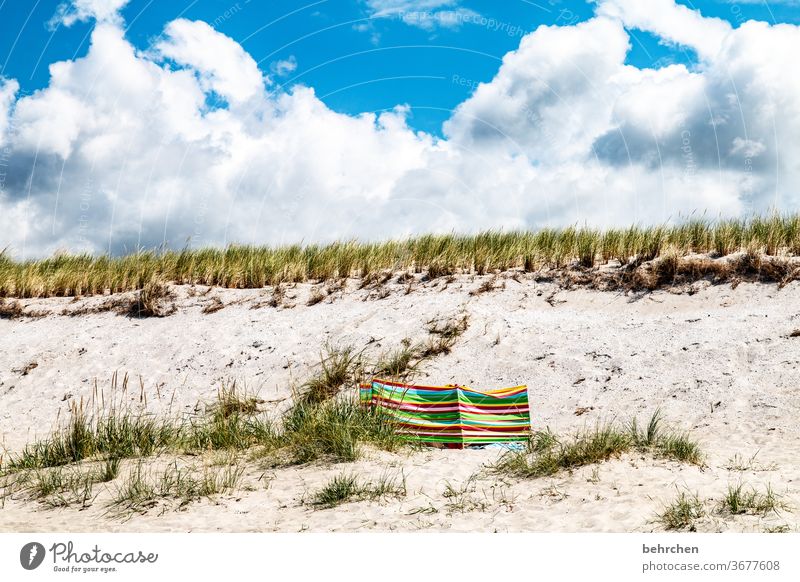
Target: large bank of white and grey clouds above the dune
187 143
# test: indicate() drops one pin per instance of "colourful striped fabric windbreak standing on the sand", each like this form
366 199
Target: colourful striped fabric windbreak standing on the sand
454 416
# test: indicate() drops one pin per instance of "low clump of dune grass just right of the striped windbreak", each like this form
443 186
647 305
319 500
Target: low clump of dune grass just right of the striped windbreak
547 454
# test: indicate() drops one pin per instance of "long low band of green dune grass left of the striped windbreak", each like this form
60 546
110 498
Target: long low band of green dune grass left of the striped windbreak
333 430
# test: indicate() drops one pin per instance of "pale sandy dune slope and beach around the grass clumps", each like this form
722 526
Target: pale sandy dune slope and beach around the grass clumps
719 361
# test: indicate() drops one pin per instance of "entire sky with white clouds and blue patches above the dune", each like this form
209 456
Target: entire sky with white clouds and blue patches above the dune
146 123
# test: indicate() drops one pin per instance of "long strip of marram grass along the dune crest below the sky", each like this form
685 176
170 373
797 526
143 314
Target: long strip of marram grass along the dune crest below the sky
253 267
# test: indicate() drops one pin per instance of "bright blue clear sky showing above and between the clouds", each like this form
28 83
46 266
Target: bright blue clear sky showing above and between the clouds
355 61
